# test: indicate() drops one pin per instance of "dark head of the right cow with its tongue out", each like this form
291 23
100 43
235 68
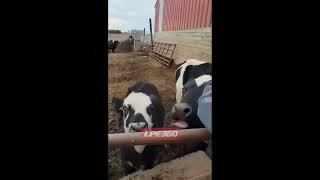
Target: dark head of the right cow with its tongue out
184 114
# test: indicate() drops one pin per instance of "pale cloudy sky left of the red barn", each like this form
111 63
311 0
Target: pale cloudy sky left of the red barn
127 15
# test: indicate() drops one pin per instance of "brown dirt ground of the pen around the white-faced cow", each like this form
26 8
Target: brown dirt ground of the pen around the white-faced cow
124 69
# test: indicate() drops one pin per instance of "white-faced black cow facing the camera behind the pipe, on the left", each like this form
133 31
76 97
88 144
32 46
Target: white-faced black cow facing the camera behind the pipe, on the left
141 108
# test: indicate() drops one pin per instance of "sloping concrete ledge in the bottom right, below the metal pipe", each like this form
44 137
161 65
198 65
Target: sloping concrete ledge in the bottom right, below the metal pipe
195 166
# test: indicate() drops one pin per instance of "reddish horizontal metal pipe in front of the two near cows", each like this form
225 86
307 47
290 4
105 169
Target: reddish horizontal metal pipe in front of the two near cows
158 137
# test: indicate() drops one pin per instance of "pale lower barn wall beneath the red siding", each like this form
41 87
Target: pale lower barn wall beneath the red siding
195 44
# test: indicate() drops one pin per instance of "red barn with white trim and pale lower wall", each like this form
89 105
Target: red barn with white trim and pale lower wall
186 23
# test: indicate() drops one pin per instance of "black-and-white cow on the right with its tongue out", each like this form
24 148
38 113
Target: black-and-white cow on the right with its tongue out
191 78
